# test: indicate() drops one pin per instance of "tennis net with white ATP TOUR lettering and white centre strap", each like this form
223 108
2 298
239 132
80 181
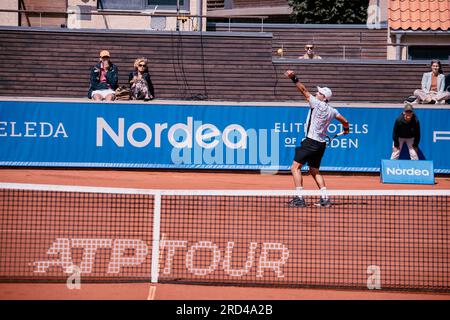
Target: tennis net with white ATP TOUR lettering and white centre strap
386 239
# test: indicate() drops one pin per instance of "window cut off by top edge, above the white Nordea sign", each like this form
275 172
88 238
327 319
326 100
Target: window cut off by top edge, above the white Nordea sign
142 4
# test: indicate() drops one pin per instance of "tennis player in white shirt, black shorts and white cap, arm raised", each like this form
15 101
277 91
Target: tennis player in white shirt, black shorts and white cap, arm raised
313 146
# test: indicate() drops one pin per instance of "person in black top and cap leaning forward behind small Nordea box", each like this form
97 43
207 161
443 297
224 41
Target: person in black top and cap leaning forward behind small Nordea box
406 130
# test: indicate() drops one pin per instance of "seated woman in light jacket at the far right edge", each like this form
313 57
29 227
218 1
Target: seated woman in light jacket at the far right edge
433 86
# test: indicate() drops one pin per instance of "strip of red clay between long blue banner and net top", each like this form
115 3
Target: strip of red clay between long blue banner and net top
199 180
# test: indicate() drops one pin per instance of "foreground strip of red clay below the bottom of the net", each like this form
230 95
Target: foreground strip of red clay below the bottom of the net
145 291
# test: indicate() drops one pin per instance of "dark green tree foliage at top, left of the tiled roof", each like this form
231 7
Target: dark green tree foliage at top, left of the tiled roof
329 11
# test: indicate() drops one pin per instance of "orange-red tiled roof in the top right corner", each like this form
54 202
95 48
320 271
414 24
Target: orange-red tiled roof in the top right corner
419 14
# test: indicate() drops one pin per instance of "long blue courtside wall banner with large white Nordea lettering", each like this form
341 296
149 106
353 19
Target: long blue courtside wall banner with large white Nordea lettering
126 135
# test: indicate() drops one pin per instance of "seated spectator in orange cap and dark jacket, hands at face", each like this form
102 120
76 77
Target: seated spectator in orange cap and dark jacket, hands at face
104 78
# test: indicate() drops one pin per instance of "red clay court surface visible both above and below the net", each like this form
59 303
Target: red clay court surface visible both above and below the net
194 180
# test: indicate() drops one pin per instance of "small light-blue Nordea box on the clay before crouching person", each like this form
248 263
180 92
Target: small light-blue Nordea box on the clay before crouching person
407 171
